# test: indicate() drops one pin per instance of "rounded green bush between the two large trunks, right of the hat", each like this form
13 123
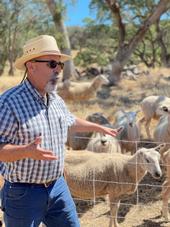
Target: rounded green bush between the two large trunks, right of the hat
96 43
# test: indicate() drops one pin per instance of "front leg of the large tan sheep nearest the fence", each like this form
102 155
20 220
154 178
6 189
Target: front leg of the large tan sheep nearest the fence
114 206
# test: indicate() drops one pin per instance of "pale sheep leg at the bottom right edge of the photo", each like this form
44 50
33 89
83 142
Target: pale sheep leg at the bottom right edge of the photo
165 197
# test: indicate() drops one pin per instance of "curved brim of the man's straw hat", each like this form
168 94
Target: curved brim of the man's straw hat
20 62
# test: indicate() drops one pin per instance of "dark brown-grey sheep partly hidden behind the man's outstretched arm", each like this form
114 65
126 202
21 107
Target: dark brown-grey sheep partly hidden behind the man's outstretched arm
79 140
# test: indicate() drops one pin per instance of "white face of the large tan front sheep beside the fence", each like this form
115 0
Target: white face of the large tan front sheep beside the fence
150 160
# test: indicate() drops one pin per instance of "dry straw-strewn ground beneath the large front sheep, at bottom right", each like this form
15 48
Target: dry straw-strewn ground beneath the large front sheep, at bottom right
142 209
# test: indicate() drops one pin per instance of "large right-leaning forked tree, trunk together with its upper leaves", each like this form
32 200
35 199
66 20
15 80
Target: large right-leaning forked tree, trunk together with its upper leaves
143 18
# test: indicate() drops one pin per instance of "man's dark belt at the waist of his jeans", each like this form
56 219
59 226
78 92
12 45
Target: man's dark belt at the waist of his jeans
46 185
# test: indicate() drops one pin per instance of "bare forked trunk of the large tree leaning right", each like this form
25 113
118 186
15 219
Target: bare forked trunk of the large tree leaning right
126 50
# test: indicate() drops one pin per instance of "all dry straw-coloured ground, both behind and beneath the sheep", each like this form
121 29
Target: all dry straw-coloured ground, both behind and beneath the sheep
142 209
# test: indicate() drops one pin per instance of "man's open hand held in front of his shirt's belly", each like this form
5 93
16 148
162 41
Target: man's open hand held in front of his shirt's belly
34 151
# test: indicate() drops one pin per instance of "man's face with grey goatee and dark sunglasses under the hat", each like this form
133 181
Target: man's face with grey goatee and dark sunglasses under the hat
44 75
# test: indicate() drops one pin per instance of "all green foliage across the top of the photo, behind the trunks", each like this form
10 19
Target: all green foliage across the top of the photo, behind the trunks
96 42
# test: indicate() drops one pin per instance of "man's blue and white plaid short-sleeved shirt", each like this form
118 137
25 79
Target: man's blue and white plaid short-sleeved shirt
24 116
